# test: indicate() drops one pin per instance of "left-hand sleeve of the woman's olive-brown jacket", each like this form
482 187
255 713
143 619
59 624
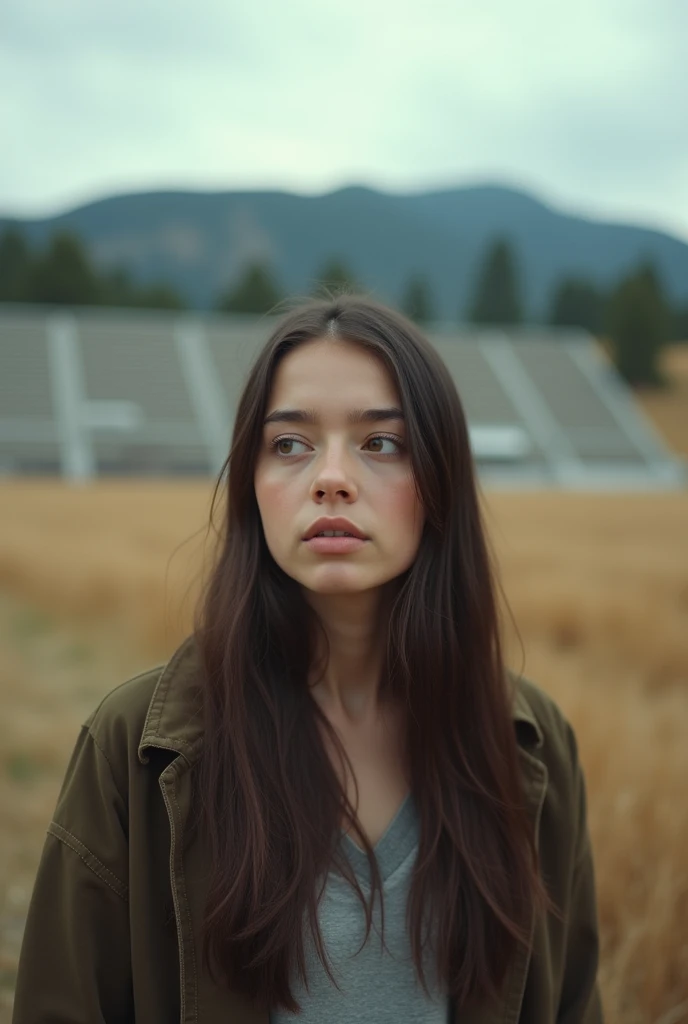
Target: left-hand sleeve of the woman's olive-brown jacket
75 963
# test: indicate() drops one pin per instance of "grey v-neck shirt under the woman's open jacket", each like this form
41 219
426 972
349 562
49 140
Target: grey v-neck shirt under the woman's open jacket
378 986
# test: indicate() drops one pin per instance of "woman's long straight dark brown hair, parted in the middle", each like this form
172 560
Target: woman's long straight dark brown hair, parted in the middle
269 799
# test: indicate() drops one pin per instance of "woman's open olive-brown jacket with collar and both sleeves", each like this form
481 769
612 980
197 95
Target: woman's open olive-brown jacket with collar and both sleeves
113 928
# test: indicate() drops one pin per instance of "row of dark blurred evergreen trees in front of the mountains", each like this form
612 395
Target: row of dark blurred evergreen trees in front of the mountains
634 316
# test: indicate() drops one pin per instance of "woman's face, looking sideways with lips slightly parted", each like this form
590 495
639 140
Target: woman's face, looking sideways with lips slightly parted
334 467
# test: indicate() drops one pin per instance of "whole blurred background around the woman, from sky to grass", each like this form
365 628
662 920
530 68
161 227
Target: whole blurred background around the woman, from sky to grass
512 177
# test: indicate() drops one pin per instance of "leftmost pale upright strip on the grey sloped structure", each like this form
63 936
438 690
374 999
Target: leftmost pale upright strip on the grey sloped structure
67 383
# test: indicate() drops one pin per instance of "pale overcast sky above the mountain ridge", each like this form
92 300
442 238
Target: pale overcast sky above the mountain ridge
585 105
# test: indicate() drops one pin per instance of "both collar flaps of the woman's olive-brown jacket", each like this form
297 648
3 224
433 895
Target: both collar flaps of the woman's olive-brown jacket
175 719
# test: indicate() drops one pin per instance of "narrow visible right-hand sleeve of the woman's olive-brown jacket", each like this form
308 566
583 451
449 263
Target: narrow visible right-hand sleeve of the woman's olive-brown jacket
580 1001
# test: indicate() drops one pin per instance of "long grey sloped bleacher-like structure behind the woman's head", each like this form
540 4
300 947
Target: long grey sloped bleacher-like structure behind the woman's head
88 393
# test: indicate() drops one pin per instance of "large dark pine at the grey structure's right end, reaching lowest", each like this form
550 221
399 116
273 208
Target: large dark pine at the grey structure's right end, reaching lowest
639 325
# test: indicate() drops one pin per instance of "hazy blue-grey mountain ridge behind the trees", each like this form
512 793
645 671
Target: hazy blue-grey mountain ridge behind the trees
201 240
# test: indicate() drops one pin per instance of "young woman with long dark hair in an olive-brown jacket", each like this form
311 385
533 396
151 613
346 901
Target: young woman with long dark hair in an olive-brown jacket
335 801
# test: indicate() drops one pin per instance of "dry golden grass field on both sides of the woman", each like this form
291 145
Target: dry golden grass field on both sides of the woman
99 583
